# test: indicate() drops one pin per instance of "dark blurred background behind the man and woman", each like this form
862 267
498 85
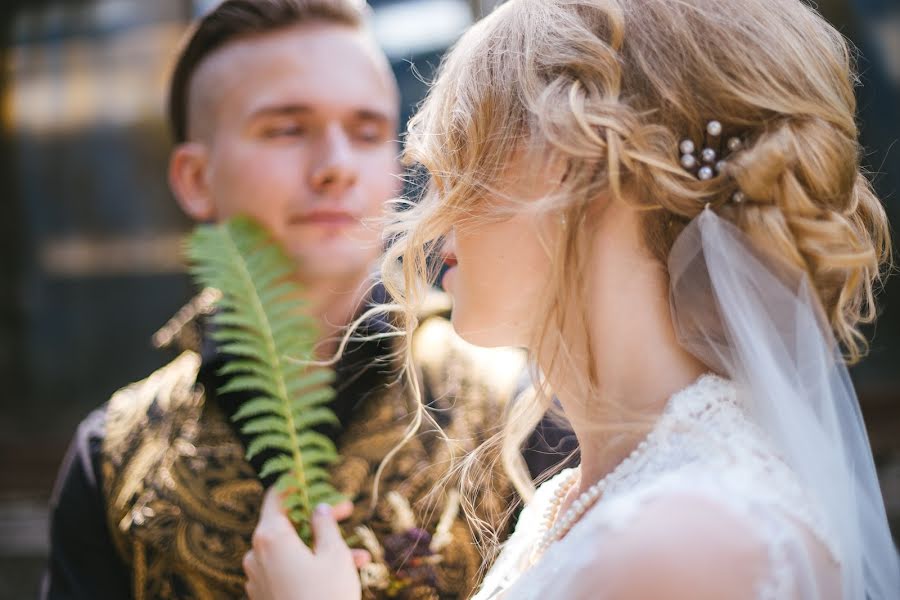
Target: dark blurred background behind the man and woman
90 235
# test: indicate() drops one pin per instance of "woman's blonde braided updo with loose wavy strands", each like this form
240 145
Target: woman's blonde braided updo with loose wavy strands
603 91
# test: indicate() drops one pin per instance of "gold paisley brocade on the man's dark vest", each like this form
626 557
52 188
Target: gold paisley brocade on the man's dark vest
182 502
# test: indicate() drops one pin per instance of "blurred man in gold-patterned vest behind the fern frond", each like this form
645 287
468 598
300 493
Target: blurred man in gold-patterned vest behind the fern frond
284 110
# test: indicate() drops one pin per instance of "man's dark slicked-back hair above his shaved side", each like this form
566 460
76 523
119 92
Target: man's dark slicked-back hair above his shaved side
235 19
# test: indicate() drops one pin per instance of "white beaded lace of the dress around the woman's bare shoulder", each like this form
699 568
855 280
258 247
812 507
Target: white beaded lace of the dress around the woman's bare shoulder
703 444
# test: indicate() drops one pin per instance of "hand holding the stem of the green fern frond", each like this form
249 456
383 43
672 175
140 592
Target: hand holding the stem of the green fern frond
281 567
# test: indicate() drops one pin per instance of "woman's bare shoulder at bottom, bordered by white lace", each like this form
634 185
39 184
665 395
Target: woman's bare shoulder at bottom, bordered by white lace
699 546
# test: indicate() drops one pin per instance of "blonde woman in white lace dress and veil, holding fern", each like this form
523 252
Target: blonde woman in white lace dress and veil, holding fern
663 202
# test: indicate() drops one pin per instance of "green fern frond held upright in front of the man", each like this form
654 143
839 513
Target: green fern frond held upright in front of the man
261 324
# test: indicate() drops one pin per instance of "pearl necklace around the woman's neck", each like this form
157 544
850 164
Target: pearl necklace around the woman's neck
555 531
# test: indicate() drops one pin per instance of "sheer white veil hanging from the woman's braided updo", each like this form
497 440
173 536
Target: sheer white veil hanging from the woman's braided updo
762 326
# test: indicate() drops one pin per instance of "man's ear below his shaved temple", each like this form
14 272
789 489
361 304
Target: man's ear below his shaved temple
187 177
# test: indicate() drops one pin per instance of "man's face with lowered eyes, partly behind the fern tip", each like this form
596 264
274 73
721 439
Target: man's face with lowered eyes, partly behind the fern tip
298 129
